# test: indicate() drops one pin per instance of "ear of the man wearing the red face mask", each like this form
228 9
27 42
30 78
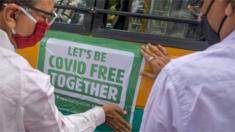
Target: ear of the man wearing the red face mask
11 13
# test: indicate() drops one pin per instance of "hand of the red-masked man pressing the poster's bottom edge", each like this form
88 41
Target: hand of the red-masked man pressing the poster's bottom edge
113 118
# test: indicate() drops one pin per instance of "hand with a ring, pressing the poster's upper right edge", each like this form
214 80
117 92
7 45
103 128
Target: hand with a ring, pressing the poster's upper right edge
157 57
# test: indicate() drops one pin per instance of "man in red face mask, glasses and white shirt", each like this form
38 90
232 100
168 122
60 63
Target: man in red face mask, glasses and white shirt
26 95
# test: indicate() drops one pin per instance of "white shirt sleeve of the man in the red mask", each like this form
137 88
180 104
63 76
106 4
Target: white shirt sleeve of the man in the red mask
41 114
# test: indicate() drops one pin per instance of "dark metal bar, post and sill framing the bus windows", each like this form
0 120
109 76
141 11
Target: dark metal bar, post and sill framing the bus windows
95 26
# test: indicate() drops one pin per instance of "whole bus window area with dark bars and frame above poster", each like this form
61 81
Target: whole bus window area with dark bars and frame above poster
168 22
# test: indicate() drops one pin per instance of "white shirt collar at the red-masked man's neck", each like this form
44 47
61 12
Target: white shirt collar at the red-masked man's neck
5 41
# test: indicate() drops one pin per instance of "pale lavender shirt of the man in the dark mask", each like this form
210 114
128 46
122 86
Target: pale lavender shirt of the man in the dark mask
195 93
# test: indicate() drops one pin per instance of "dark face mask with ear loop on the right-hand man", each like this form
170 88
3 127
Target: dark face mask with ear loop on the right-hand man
210 35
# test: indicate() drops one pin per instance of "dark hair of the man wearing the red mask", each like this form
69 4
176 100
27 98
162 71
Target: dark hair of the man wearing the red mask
21 2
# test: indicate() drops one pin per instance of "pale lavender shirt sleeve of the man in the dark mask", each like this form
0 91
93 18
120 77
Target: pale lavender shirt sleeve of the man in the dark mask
161 111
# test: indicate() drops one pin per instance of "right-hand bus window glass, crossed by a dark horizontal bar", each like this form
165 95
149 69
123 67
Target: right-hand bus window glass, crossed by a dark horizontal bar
162 8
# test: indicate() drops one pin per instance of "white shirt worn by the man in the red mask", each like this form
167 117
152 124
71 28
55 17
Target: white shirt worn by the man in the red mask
27 102
